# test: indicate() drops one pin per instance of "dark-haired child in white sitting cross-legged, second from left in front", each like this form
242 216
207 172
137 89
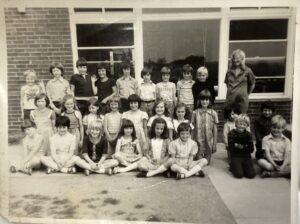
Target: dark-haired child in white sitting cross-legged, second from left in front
62 146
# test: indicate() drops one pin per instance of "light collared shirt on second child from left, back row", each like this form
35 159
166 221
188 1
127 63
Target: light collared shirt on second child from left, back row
57 88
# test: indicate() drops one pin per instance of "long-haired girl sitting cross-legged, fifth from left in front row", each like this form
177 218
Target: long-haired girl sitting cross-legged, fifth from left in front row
156 159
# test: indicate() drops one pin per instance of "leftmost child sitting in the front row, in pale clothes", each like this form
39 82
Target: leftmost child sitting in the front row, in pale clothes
33 147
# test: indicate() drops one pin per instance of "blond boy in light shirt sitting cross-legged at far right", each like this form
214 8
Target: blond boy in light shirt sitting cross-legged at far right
277 149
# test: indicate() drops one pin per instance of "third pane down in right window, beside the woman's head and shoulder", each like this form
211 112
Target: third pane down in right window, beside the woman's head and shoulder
274 67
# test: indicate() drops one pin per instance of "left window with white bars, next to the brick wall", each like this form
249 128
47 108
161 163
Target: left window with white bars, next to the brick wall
106 43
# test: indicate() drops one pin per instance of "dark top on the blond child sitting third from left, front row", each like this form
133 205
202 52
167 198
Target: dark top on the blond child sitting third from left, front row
94 151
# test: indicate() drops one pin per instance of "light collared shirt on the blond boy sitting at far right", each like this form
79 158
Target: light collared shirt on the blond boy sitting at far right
276 146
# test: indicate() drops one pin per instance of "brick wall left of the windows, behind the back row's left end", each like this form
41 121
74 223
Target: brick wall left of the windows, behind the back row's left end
34 40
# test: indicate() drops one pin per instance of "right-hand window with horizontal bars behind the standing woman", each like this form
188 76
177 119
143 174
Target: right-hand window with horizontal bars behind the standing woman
265 44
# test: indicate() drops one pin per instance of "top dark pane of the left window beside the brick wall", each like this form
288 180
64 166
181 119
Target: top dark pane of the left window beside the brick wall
92 35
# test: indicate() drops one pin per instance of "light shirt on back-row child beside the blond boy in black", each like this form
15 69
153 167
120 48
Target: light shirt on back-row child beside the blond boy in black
185 94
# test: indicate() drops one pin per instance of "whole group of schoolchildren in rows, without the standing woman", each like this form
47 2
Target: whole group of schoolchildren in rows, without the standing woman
104 126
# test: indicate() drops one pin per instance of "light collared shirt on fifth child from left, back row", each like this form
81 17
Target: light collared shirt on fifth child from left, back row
126 87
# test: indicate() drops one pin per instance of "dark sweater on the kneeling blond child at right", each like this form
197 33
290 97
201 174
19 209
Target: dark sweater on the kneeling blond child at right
242 138
